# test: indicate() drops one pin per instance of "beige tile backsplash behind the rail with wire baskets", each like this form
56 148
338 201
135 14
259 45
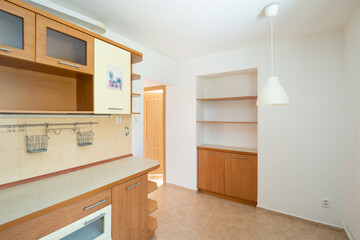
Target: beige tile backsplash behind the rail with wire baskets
63 152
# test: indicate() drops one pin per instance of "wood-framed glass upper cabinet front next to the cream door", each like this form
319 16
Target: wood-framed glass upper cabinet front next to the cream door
62 46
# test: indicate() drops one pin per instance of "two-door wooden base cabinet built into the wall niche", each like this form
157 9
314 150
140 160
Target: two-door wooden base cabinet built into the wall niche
229 175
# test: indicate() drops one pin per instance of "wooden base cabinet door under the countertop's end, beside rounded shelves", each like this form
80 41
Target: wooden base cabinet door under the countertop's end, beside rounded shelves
129 210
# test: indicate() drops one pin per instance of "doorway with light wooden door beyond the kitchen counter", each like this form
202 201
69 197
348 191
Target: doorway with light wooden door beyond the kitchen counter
154 130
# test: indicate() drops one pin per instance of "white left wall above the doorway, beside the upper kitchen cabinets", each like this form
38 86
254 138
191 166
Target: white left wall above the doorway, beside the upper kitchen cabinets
153 67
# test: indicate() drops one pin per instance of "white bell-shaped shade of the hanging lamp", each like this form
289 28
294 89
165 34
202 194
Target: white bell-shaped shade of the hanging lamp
272 93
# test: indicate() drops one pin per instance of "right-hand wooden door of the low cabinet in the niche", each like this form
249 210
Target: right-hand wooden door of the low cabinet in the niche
241 176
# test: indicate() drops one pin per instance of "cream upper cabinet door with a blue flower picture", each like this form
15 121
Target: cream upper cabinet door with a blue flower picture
112 79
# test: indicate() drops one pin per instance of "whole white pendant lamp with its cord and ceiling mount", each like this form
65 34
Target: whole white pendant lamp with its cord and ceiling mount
272 93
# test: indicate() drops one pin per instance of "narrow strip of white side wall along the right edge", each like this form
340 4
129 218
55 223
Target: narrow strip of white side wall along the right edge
352 168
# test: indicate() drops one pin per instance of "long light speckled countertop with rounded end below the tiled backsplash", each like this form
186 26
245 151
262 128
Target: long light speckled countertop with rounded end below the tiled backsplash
28 198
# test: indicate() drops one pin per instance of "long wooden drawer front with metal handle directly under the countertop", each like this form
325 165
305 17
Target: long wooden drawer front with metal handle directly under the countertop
48 223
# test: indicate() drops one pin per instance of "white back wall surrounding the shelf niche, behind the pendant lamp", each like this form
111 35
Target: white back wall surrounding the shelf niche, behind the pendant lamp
301 146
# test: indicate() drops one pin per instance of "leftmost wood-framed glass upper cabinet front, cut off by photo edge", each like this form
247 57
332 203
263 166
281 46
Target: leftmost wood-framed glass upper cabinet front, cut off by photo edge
17 27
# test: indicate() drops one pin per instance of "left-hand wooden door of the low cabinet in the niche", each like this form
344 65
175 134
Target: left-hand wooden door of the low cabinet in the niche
211 171
